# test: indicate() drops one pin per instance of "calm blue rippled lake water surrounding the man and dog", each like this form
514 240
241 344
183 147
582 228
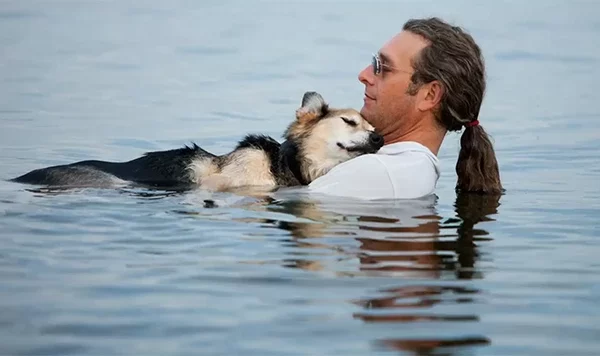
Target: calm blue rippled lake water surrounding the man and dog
141 272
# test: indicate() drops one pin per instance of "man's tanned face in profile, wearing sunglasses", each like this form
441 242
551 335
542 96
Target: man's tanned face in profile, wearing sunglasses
387 106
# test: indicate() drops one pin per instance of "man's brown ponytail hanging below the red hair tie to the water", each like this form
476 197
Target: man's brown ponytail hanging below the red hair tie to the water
477 168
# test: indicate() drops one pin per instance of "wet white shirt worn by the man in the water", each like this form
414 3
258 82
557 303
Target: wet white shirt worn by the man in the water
403 170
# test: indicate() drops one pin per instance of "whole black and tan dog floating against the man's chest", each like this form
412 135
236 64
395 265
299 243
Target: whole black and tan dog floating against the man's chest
319 139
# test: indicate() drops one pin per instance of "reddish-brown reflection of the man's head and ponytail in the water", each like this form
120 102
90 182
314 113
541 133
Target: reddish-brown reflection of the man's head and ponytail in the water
441 252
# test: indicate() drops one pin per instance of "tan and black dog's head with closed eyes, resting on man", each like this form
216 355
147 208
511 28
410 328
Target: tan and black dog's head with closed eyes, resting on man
327 137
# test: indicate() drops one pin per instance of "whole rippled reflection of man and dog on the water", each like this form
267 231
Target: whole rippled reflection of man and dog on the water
421 246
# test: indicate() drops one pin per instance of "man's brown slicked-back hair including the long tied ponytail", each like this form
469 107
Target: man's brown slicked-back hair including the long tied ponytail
454 60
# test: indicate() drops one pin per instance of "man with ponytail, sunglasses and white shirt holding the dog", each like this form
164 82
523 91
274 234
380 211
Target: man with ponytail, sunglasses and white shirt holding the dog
425 81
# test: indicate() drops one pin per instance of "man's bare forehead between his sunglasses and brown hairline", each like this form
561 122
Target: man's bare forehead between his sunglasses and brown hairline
401 48
